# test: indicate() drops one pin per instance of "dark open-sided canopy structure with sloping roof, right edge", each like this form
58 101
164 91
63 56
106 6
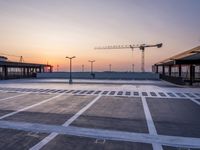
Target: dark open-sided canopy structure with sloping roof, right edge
181 68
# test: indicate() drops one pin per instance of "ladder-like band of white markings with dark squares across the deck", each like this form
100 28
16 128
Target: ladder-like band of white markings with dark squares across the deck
157 93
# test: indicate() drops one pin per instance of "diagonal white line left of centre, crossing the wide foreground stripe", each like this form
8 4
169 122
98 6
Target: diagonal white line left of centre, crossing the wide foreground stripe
50 137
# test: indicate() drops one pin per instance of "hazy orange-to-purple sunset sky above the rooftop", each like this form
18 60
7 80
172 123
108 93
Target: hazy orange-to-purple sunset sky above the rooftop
48 30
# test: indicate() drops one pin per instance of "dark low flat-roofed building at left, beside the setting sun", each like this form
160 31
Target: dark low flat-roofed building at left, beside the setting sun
15 70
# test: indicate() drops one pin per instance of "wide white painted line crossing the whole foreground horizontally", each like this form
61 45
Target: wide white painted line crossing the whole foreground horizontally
175 141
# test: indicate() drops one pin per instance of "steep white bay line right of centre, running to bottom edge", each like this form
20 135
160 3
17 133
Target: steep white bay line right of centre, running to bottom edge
150 123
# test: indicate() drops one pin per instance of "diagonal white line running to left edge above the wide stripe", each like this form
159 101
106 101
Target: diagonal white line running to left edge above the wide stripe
31 106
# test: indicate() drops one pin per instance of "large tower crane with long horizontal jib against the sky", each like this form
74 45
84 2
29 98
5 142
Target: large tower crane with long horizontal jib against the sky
132 47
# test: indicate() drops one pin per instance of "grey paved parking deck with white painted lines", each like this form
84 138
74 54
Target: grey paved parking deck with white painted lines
139 115
